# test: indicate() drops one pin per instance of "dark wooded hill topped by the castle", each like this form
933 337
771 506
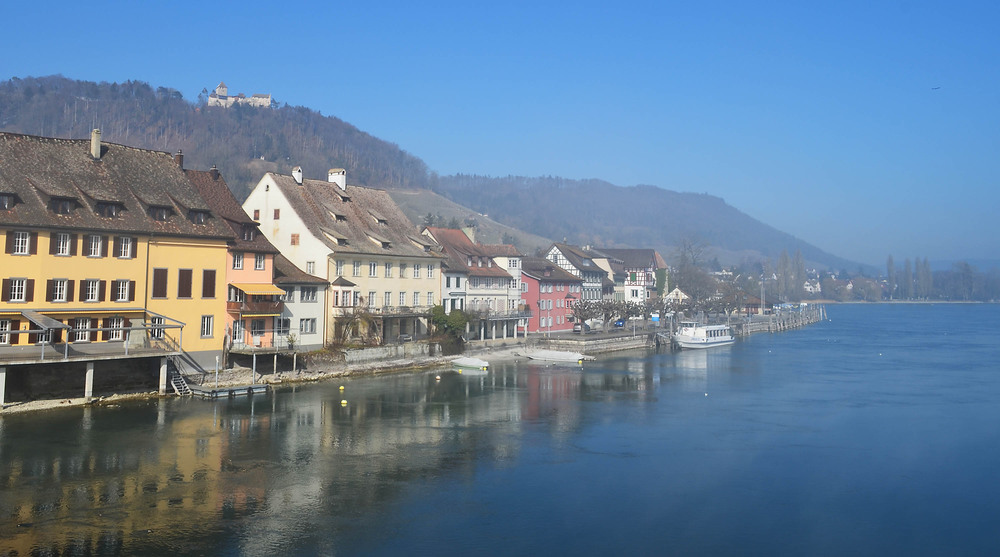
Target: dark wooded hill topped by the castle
244 142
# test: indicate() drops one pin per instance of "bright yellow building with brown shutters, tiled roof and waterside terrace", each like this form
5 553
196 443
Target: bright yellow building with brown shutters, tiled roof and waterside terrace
110 254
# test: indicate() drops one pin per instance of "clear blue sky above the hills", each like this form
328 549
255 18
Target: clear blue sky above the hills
867 129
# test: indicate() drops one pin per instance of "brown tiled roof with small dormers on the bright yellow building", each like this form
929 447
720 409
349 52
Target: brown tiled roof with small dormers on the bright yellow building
38 169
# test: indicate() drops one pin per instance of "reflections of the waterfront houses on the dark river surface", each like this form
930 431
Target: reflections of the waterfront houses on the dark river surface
300 466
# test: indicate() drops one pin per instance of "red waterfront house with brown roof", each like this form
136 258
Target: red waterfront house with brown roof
550 292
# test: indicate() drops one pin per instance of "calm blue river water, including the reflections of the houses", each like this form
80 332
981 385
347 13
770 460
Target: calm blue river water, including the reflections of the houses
874 433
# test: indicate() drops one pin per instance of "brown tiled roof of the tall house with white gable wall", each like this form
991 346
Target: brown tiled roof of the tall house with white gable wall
316 201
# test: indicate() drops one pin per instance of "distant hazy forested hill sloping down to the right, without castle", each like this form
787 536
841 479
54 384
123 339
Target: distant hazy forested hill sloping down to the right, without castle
603 214
